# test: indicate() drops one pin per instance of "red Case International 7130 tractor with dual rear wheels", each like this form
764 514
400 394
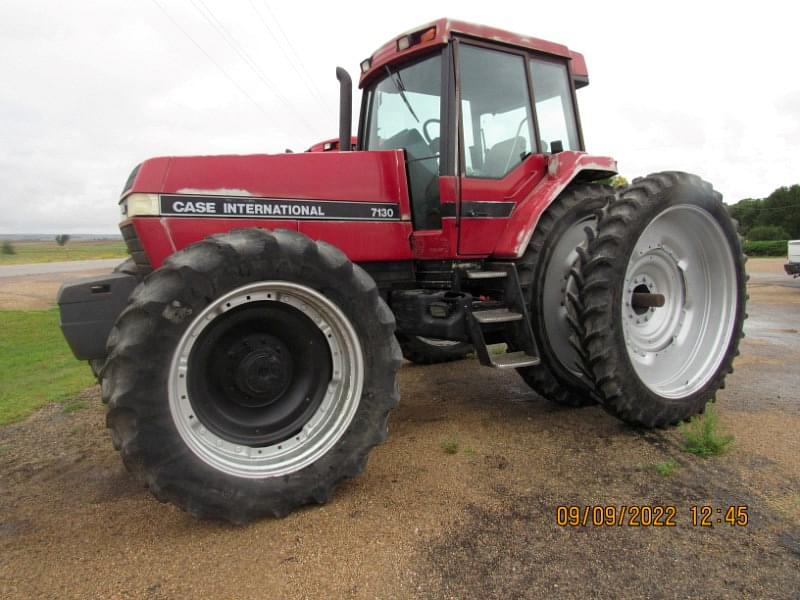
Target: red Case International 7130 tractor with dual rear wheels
248 349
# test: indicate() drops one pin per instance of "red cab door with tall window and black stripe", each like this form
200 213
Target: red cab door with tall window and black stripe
499 158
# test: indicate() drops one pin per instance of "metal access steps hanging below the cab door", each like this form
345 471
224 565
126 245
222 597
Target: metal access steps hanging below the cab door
505 320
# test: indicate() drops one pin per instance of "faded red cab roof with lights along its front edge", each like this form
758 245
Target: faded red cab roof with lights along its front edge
443 31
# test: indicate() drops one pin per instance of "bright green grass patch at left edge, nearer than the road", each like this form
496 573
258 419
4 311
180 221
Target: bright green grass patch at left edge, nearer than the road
36 365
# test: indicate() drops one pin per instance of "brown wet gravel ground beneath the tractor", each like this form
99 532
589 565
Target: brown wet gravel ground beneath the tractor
422 523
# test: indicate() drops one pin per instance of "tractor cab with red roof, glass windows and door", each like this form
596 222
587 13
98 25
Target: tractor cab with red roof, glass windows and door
469 109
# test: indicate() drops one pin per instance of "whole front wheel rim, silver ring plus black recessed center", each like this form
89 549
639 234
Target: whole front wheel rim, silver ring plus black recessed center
305 434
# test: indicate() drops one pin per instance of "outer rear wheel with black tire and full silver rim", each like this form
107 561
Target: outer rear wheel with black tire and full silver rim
667 234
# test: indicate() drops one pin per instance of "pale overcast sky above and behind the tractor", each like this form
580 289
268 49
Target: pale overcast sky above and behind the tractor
88 89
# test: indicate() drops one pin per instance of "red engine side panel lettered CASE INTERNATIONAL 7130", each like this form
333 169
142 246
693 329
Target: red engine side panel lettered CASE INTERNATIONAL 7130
346 193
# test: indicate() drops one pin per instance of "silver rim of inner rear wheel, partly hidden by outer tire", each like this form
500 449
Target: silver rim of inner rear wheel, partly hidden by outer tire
557 282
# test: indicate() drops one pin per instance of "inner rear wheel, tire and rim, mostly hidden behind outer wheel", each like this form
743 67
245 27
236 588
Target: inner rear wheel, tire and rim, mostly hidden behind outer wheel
544 272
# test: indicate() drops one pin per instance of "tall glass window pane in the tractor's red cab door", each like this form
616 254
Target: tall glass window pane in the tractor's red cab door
495 111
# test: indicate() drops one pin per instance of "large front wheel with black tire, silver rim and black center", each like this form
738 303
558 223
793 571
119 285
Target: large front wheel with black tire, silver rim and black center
251 374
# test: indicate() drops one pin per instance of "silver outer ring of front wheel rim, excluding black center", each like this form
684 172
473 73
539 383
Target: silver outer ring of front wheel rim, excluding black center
327 424
